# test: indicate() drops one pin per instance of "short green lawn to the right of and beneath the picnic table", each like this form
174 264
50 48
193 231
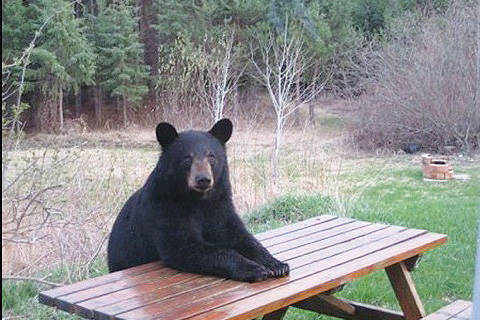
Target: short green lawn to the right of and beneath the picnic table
401 197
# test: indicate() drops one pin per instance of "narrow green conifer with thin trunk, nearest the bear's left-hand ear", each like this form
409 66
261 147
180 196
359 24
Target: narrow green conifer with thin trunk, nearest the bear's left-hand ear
121 69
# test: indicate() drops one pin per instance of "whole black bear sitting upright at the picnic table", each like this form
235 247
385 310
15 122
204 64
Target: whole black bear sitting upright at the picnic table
184 214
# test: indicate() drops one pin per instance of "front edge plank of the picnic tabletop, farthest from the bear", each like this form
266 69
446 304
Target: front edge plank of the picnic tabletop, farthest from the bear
290 292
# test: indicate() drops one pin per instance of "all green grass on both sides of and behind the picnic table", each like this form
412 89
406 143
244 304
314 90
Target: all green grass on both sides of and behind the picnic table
400 197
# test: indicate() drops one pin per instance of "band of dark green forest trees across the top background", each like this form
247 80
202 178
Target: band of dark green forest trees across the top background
109 45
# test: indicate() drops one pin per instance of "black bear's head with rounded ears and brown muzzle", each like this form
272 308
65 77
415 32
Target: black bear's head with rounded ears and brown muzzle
195 162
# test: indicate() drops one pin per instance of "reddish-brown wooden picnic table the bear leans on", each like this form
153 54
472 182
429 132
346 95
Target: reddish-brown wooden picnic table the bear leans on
324 253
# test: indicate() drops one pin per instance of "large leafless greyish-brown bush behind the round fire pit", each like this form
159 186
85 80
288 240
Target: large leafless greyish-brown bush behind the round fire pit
423 85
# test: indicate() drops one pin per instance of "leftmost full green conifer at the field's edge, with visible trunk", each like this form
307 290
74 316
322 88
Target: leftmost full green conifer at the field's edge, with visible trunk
62 62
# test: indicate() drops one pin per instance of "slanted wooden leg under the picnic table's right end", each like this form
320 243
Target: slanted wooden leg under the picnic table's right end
405 290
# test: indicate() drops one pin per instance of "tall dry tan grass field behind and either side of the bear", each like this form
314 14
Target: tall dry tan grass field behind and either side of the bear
100 170
